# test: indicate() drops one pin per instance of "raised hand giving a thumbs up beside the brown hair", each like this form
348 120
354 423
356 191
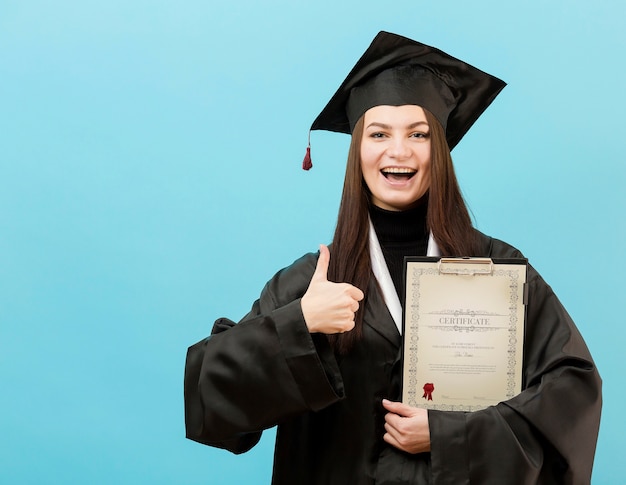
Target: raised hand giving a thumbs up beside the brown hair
329 307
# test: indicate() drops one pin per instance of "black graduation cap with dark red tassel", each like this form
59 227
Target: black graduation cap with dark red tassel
395 70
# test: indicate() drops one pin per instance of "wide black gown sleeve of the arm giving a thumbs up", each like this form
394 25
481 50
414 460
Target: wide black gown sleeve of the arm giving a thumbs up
250 376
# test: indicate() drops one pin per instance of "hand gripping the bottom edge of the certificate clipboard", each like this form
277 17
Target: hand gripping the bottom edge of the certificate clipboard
406 427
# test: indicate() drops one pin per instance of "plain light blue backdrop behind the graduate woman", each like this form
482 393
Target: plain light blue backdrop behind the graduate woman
150 182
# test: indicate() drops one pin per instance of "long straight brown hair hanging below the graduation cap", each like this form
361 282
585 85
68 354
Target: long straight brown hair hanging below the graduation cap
448 219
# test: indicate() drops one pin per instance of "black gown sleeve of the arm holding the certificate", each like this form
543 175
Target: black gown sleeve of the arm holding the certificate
546 434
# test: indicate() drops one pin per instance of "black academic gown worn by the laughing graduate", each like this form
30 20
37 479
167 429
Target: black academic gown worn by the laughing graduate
268 370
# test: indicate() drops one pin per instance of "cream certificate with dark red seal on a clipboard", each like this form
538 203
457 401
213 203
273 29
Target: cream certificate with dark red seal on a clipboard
463 335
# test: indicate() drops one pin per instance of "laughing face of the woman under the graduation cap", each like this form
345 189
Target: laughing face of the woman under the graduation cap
395 155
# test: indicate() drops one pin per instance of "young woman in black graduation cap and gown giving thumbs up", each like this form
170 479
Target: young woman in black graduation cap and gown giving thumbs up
319 353
